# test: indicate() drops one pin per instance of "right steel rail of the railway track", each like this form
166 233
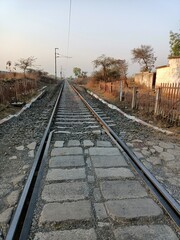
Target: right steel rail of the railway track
167 201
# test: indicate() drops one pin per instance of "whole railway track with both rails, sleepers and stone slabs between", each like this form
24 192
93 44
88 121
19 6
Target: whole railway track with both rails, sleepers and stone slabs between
81 164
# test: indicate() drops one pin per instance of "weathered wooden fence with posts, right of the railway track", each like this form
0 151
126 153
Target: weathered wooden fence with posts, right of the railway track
163 102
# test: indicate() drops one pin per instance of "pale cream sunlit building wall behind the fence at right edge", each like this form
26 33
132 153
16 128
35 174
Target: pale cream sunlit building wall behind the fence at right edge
170 73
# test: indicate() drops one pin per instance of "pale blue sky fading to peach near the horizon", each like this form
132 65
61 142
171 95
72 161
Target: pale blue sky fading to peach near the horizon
96 27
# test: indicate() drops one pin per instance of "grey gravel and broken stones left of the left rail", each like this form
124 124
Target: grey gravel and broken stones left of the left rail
19 140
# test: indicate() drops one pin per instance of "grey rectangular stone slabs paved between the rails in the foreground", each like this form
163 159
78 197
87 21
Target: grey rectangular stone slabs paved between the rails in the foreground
90 192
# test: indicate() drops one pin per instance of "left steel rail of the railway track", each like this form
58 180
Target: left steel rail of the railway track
17 223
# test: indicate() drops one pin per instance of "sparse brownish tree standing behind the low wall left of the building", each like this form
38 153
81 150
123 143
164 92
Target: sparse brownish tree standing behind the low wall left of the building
145 57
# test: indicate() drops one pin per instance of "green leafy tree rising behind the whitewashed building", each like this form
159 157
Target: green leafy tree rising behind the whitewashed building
174 44
